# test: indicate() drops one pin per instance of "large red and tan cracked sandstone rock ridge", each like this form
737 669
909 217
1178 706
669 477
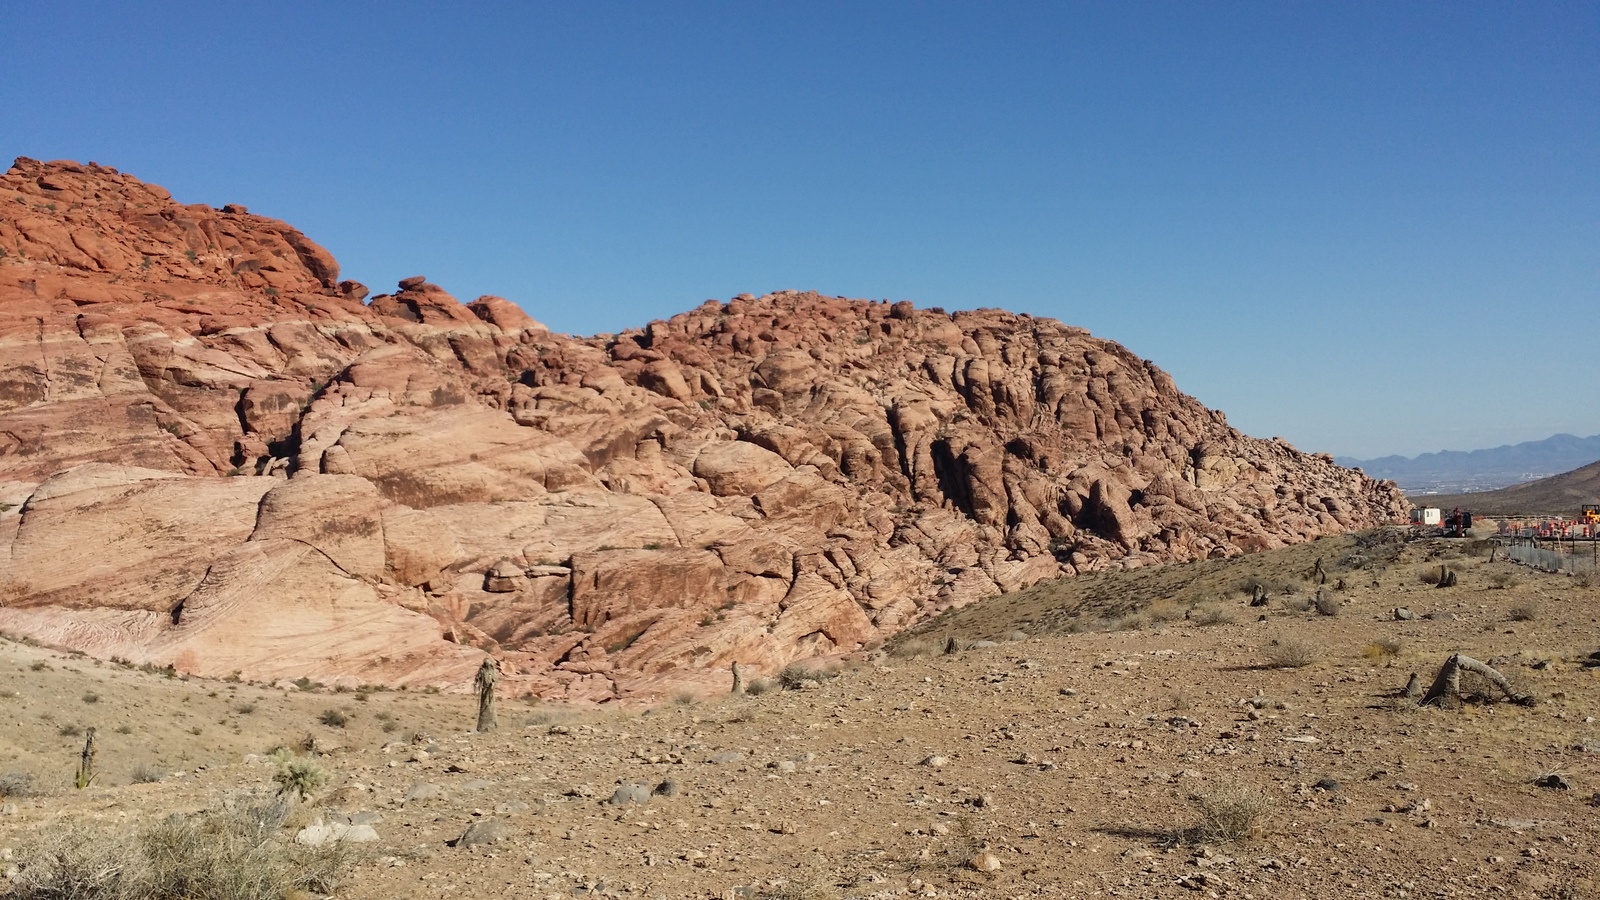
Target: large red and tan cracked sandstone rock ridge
214 454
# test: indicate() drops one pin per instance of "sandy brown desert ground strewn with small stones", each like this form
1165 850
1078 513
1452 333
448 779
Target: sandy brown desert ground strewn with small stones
1134 734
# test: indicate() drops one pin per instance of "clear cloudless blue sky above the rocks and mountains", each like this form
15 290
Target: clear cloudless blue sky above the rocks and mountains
1369 228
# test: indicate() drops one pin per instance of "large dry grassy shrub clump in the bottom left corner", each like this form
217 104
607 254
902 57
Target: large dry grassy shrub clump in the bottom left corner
223 856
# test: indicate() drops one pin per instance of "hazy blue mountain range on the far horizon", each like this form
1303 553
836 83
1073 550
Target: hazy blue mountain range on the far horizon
1465 472
